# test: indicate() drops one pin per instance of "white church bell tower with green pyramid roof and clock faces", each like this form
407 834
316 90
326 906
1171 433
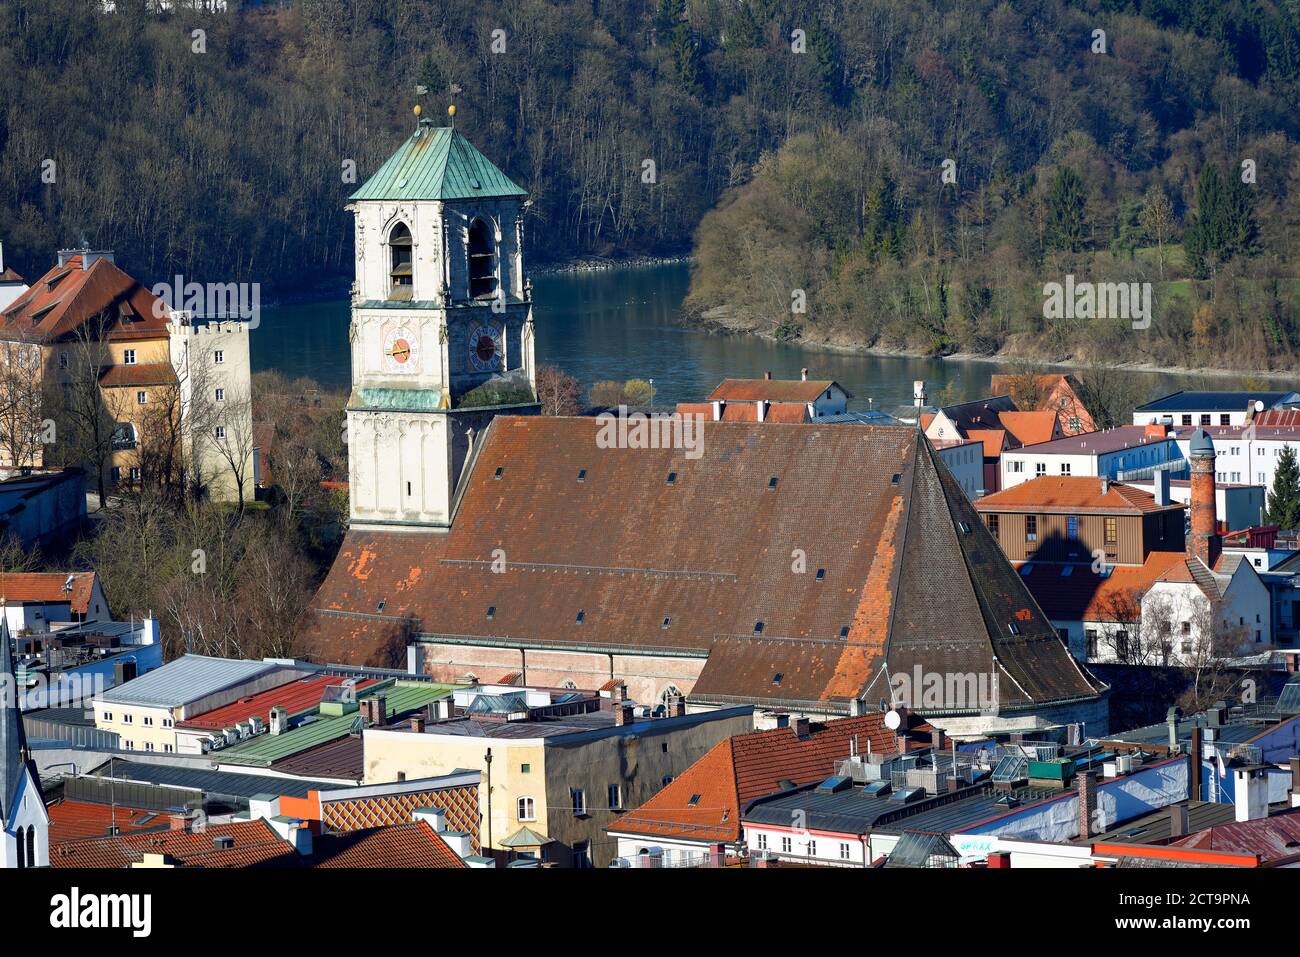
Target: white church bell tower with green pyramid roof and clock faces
443 326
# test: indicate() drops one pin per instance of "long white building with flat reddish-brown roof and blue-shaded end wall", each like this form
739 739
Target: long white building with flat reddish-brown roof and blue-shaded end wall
1124 453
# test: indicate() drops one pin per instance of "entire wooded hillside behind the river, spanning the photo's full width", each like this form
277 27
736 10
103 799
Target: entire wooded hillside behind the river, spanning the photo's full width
817 133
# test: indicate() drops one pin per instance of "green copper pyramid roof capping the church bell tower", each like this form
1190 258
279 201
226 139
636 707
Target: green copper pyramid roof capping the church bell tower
437 163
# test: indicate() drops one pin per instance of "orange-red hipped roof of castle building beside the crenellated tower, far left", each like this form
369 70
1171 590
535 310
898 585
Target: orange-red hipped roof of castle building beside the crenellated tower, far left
67 297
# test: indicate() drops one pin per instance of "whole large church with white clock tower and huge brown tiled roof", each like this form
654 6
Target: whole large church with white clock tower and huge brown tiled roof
805 569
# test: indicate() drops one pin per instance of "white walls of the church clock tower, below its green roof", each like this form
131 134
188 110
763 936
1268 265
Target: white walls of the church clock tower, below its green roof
415 354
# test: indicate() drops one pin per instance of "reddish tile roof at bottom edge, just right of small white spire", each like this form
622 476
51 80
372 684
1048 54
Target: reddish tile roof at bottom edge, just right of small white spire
255 845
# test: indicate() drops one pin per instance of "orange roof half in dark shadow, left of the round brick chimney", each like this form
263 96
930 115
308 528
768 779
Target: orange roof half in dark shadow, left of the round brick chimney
1082 596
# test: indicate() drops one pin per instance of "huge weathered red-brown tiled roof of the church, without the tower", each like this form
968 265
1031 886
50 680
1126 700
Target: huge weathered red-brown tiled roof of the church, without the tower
712 553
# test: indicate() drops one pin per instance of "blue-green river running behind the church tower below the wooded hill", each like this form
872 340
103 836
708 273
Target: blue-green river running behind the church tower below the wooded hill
621 324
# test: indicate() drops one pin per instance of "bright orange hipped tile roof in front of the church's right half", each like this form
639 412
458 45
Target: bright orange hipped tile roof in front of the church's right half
743 768
